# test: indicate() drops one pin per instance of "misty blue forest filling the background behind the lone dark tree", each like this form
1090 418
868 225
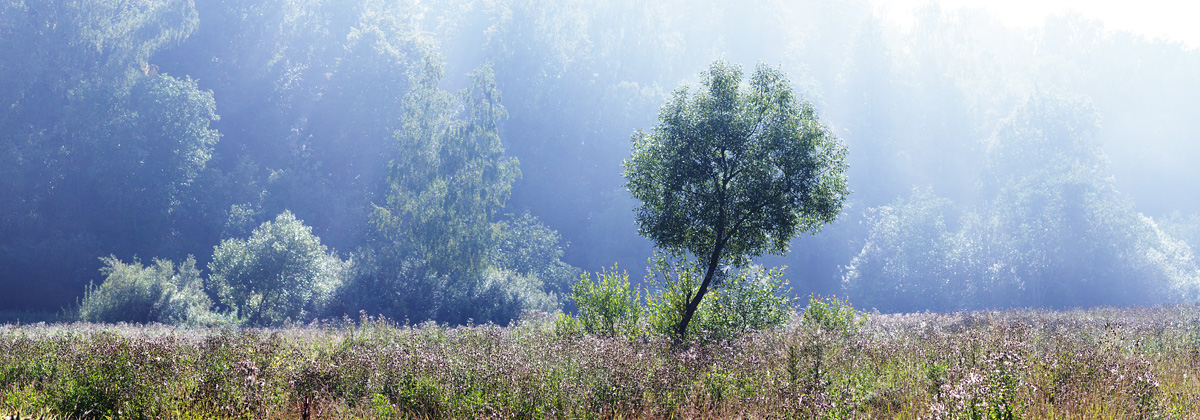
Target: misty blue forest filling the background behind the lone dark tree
461 161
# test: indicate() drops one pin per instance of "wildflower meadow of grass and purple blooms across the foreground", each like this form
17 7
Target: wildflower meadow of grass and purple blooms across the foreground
1079 364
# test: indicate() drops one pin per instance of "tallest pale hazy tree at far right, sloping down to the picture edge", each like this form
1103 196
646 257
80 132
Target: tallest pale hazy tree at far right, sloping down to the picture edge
1067 236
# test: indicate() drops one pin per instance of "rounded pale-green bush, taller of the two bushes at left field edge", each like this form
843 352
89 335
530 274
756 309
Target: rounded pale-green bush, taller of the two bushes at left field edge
280 273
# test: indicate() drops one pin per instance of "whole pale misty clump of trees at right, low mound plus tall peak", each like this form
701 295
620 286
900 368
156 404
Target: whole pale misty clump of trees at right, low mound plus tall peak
1057 231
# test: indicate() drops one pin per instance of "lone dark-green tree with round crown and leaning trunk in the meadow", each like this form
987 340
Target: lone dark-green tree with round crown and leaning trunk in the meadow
735 171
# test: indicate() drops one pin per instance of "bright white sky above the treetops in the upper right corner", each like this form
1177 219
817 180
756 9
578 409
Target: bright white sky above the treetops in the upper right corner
1168 20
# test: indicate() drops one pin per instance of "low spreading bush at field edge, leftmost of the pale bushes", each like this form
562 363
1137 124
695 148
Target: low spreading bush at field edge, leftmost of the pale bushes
161 292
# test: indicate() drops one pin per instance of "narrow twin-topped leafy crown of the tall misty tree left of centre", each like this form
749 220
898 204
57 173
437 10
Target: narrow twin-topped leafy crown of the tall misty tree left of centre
452 178
